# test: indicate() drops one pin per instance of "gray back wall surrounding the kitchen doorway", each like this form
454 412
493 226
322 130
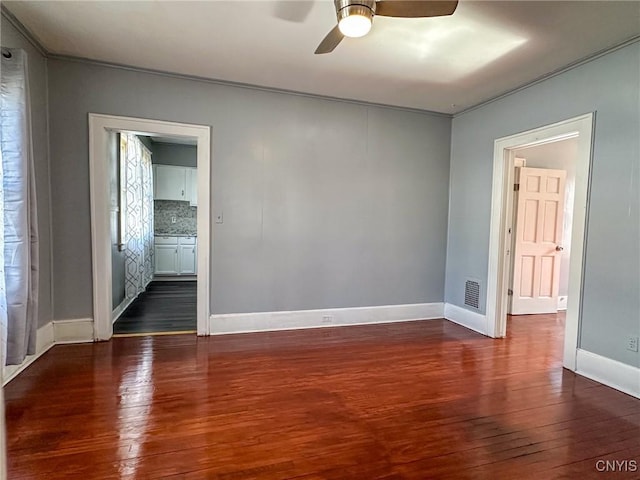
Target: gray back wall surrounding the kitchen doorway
326 203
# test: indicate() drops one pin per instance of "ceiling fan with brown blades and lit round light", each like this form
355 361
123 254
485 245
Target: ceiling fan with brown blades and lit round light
356 16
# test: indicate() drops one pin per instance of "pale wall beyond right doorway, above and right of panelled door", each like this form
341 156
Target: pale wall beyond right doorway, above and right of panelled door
559 156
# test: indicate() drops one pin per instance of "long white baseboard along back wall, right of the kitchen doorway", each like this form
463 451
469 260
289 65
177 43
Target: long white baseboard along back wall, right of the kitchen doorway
221 324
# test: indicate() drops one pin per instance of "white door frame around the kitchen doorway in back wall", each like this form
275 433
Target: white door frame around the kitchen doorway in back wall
99 127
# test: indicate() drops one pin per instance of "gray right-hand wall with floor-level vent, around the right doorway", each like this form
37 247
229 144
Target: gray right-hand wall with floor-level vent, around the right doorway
610 86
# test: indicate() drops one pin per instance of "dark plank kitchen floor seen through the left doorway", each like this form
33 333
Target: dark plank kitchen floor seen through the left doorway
166 306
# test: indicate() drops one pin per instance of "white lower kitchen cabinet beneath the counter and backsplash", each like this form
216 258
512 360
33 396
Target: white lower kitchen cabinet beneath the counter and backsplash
175 255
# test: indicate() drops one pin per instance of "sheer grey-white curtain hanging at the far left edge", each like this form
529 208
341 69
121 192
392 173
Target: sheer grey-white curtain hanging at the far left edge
19 233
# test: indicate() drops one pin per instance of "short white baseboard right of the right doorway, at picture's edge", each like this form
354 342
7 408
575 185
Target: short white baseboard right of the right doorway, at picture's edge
612 373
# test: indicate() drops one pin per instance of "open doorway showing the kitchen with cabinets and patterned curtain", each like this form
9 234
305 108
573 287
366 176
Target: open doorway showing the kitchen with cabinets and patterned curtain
154 234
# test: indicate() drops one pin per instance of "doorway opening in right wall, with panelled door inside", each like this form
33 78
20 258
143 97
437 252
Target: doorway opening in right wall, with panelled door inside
542 226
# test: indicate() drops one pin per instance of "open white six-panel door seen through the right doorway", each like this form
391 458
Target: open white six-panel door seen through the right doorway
538 243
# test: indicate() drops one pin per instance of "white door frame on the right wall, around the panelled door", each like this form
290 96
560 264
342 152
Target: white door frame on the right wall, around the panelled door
502 206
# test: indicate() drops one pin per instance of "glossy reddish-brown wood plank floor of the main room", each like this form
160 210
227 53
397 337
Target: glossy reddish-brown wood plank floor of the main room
418 400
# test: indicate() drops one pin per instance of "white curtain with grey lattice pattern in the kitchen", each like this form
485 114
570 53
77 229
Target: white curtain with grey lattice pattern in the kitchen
136 180
